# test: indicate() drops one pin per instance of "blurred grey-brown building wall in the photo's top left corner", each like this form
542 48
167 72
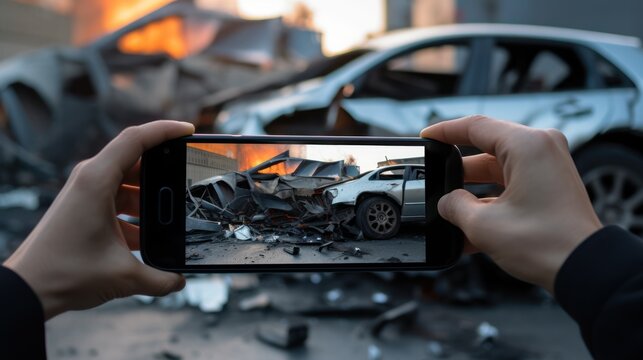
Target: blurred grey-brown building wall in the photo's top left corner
26 27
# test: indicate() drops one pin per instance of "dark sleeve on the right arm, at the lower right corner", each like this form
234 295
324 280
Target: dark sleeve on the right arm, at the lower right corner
600 285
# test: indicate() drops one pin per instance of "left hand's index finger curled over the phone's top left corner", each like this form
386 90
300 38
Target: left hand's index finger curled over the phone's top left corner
124 151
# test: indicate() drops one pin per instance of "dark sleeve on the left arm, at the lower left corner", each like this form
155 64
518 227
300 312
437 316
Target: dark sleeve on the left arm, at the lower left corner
22 321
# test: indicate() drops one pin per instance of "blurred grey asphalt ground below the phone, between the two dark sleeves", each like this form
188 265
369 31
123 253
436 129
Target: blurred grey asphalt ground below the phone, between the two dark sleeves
126 329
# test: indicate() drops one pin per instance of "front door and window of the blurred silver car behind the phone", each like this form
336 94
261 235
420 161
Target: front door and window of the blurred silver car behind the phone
415 88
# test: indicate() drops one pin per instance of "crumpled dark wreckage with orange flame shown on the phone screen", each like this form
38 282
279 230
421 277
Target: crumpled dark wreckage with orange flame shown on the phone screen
281 198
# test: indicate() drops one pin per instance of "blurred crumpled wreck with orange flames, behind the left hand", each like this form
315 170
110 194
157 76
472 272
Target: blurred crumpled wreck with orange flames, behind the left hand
61 105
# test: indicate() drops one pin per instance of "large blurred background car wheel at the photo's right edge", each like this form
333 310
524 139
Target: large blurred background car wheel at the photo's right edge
613 177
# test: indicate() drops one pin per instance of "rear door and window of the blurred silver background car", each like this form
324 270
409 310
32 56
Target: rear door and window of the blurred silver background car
544 84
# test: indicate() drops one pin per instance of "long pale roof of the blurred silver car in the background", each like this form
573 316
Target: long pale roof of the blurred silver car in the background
418 35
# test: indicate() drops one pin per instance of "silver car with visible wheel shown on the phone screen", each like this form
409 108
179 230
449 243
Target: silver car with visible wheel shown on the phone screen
383 198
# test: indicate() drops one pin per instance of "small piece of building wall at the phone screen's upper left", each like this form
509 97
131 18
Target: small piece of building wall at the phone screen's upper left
202 164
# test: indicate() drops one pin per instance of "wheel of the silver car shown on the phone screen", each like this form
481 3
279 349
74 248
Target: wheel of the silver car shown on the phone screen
378 218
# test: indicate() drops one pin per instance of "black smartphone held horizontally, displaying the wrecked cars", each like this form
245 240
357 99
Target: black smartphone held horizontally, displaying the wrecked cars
231 203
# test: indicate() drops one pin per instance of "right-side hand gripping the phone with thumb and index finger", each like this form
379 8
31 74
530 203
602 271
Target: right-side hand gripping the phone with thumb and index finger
544 212
